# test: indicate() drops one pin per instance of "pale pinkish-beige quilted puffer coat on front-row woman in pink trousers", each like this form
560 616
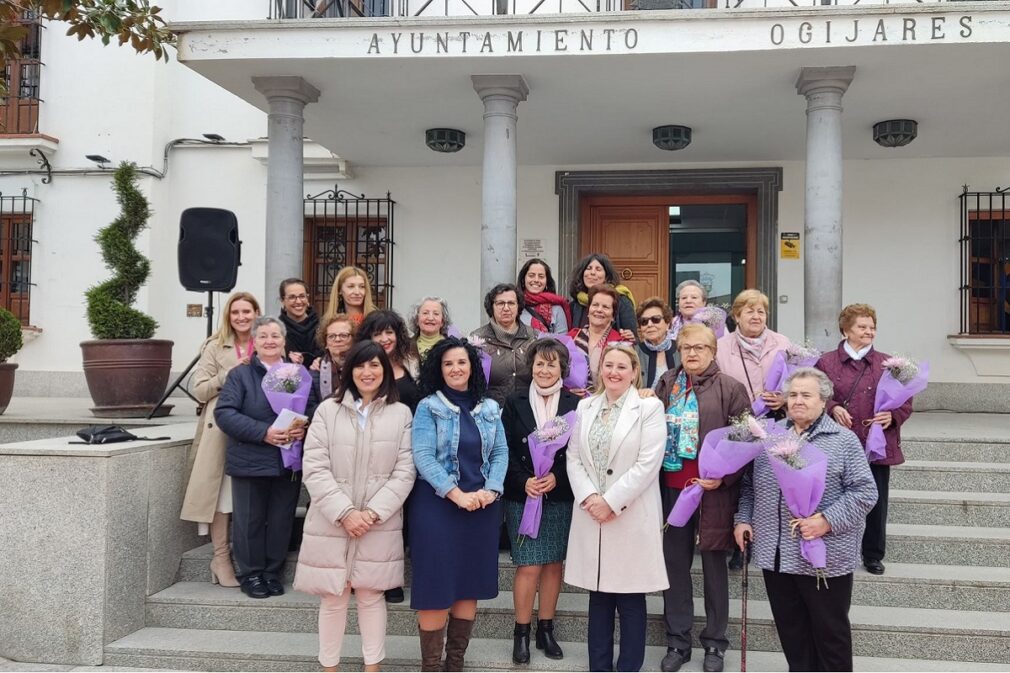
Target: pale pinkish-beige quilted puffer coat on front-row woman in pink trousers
348 468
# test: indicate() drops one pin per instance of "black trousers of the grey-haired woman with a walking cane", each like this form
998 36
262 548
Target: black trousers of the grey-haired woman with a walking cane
813 623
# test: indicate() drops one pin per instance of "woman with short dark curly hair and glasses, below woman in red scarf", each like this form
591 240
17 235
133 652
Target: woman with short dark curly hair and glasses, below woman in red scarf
507 340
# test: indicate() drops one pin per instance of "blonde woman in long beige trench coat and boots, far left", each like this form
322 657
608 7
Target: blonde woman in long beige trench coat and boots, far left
209 496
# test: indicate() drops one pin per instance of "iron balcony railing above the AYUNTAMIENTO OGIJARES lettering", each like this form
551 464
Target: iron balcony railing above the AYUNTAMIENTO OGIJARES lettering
289 10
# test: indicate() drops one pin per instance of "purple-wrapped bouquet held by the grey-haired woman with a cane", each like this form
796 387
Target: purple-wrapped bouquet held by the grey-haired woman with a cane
801 470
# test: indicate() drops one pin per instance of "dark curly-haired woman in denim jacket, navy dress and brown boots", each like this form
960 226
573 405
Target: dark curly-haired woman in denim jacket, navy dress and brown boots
454 514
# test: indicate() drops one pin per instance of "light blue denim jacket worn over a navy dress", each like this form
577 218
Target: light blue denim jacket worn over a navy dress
436 440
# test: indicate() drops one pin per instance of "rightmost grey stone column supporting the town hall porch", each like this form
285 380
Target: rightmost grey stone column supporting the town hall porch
824 88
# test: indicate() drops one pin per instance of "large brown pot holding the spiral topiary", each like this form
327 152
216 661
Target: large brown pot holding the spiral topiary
127 377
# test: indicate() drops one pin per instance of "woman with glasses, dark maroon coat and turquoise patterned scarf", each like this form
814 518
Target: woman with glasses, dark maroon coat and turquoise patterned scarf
698 399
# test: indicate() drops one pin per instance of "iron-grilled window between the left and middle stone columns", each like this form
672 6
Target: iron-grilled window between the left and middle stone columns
348 230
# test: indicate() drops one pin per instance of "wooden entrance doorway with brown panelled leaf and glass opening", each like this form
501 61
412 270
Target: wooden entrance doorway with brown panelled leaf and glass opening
657 242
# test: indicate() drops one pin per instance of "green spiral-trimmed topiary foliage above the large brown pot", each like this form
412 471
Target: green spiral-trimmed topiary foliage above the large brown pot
110 305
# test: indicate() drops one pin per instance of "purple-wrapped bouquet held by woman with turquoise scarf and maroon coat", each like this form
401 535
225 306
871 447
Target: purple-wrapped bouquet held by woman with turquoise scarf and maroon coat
725 451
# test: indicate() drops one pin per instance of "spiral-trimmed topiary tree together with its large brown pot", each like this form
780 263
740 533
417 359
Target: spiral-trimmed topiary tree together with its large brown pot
127 370
